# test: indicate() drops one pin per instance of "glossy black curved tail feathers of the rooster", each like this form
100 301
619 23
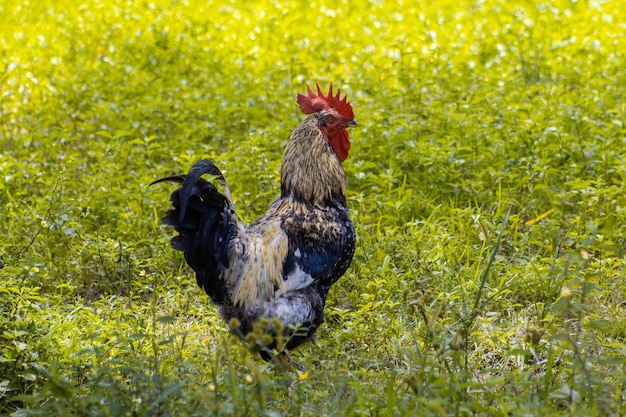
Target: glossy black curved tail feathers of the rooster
205 221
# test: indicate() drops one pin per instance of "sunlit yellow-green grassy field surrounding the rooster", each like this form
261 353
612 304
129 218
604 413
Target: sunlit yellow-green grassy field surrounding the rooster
486 182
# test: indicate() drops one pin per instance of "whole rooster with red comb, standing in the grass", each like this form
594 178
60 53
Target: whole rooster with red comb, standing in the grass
277 271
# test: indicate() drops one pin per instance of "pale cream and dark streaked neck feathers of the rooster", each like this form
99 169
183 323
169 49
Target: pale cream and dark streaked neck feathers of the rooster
311 170
